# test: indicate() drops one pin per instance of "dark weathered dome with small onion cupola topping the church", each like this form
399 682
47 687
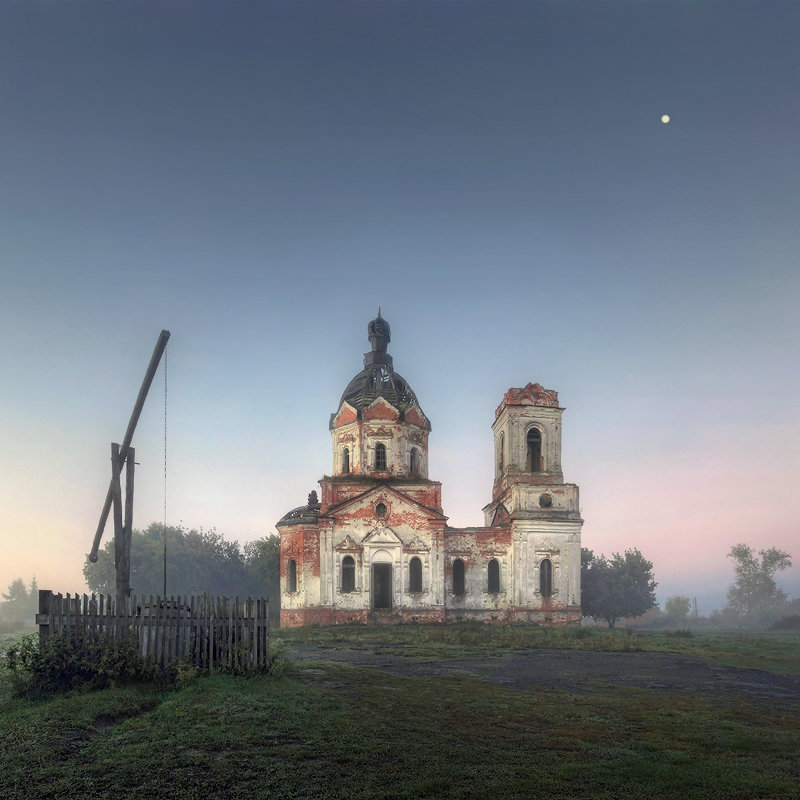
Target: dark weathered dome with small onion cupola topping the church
378 378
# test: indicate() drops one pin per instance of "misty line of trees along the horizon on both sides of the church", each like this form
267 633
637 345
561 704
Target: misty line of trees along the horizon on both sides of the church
622 586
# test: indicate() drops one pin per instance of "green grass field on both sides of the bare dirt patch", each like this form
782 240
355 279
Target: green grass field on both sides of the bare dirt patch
331 730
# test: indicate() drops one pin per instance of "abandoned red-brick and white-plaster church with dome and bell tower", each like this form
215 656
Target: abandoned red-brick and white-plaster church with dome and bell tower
376 547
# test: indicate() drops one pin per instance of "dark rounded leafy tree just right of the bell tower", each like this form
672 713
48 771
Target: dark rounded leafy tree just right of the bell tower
621 586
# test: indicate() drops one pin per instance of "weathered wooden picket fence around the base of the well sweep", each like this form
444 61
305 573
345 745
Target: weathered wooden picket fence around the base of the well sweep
212 632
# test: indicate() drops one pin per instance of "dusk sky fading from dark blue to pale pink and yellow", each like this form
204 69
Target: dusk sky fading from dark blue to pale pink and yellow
259 177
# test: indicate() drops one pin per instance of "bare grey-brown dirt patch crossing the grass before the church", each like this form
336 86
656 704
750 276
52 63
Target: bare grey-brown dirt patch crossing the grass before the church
585 672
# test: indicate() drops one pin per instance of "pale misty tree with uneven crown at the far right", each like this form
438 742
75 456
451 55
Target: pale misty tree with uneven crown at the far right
755 597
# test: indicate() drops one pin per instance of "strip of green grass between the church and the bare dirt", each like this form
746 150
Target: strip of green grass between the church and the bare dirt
775 651
